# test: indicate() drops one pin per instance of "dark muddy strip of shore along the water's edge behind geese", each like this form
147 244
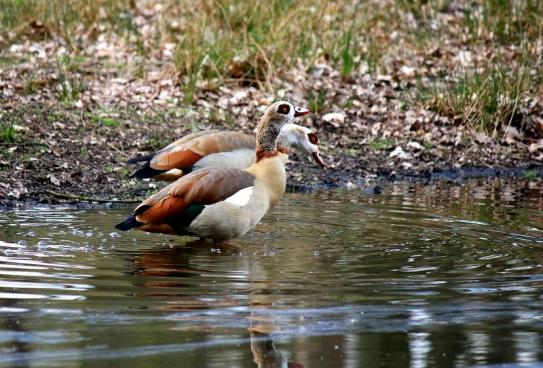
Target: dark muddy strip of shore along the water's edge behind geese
69 155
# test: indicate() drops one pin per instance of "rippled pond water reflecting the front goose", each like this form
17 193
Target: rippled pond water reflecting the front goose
439 275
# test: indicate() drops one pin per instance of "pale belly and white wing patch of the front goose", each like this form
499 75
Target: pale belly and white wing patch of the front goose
232 217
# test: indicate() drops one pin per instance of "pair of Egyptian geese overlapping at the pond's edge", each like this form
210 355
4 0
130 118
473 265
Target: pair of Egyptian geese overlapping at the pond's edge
224 182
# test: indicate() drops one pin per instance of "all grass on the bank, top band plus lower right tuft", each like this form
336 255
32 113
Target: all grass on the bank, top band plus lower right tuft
253 43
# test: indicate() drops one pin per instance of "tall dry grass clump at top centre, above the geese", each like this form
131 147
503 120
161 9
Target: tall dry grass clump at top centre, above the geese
253 42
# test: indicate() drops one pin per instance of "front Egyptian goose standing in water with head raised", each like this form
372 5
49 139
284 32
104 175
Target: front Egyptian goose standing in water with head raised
222 203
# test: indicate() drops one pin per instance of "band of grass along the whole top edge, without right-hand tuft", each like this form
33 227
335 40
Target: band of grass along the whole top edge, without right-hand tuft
252 41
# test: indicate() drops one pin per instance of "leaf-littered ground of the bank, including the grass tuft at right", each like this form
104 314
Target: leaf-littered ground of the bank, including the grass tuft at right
70 116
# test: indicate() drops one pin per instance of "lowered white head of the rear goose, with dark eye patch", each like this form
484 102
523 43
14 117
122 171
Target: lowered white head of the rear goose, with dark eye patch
301 138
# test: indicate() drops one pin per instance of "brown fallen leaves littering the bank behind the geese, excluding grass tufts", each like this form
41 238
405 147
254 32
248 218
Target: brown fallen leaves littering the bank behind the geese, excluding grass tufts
132 102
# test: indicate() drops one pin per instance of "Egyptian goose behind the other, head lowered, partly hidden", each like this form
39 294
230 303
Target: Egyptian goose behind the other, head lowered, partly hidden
220 148
